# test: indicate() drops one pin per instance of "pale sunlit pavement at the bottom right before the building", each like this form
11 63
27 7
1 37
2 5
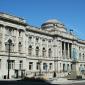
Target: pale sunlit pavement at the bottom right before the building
65 81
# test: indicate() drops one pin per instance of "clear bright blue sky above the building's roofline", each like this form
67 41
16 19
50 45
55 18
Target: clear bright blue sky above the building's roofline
36 12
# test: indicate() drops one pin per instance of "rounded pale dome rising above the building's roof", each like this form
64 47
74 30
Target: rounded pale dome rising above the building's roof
53 24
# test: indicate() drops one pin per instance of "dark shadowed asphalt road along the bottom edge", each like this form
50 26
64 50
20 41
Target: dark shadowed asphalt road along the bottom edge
33 83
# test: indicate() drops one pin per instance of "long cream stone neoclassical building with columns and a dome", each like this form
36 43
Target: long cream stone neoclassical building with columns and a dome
50 50
